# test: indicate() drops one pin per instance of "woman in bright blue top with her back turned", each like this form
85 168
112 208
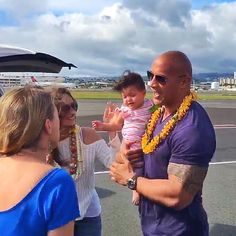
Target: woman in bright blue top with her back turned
35 199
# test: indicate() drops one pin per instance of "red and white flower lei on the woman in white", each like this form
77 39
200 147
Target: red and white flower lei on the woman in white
76 161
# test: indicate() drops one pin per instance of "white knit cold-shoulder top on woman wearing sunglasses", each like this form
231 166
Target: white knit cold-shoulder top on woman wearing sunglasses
89 203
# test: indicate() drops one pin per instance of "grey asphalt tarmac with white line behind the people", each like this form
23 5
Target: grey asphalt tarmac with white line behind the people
120 217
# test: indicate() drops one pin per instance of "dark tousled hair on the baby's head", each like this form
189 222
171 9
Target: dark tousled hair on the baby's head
130 78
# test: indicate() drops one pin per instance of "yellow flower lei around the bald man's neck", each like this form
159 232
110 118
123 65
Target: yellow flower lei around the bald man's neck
148 144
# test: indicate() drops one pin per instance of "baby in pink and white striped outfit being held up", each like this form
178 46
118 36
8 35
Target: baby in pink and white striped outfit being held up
132 116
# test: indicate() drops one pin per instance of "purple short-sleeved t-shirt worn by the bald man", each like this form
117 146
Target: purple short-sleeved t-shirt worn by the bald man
192 142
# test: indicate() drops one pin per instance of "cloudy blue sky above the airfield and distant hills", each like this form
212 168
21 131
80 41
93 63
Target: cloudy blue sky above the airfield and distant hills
107 37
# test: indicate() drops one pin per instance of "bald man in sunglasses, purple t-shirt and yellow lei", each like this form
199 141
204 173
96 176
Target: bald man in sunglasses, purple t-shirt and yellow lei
179 146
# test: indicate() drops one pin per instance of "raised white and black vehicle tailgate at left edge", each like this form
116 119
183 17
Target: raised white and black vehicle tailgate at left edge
14 59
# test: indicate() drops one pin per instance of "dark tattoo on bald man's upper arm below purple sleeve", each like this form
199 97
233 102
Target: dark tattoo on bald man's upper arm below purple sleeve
190 176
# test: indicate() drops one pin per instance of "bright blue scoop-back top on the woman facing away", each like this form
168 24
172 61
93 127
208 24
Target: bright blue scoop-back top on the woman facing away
51 204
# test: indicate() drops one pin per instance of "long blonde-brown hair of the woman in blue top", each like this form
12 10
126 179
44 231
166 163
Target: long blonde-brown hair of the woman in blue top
23 113
